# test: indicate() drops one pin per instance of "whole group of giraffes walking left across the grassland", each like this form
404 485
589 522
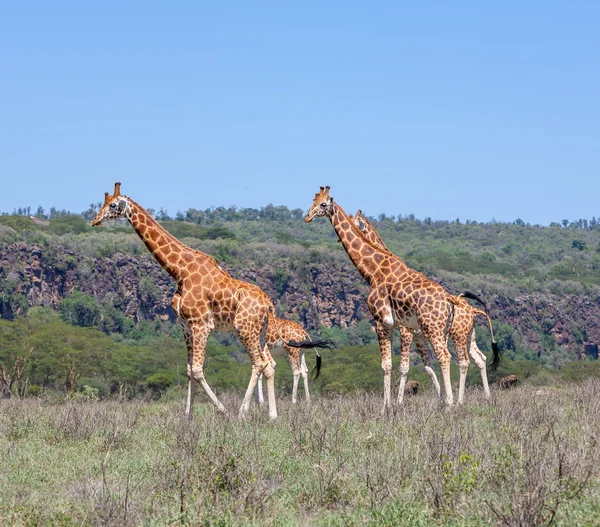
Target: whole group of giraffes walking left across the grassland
208 298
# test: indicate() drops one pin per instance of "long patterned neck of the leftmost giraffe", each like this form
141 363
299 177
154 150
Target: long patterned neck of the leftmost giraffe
167 249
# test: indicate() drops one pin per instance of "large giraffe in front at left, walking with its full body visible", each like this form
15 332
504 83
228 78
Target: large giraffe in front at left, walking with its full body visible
207 298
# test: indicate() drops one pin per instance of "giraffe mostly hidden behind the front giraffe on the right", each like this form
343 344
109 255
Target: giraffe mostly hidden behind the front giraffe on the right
462 331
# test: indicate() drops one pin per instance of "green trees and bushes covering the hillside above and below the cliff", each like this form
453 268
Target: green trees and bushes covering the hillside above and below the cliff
504 261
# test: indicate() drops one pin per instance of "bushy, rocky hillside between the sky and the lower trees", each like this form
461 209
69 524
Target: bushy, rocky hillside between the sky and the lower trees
542 284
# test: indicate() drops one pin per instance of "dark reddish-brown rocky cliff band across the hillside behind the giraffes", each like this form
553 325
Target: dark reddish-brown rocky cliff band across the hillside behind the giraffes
327 294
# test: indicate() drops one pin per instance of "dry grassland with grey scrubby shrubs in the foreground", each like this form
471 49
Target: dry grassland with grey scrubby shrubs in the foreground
526 457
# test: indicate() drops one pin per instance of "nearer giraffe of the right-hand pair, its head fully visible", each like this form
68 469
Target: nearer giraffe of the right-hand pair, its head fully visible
399 296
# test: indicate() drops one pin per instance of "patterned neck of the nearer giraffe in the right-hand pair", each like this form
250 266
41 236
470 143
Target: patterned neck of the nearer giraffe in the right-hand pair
365 257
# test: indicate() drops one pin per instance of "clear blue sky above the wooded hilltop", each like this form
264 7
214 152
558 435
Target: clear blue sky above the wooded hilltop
475 110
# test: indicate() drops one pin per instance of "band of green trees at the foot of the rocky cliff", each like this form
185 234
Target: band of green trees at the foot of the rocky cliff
43 354
